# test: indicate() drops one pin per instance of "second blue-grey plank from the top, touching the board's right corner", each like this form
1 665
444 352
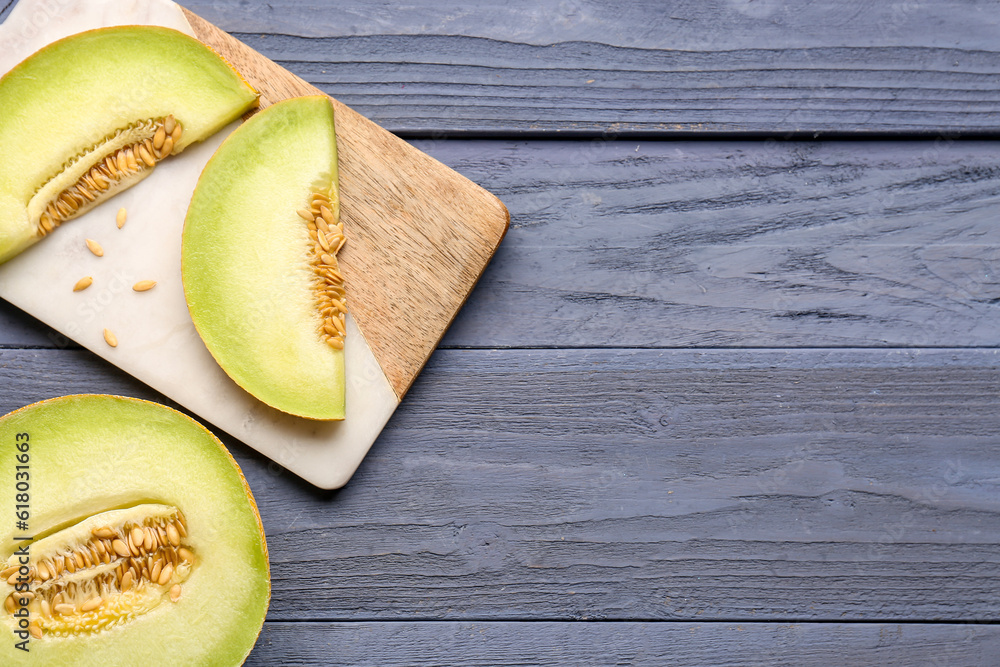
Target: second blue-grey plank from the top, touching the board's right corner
675 244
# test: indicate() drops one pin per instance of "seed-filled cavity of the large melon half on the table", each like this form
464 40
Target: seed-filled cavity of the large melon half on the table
103 572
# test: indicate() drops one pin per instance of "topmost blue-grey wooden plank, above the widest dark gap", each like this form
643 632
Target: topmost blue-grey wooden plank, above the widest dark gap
665 68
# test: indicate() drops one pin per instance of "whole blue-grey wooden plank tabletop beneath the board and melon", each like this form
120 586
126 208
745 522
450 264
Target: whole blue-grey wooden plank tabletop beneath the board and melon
727 394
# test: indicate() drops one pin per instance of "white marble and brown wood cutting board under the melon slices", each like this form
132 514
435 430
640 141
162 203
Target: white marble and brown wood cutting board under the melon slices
419 236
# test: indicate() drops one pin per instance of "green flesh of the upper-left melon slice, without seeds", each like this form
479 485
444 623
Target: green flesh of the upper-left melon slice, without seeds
73 94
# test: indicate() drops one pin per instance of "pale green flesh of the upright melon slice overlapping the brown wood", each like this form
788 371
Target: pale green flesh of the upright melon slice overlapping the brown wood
246 253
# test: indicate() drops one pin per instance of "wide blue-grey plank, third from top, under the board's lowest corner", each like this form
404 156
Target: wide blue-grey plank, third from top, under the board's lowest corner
642 484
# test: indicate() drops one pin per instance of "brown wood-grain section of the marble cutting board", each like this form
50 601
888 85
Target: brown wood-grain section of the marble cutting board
419 234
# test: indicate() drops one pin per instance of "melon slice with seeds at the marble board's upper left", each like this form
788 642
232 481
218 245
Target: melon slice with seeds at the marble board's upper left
92 114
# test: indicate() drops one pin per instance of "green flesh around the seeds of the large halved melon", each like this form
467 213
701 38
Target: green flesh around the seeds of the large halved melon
89 454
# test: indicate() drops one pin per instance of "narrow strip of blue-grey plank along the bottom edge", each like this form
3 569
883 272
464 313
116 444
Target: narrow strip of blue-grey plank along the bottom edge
486 643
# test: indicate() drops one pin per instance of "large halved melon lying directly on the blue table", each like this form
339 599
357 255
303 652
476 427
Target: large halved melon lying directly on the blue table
147 545
